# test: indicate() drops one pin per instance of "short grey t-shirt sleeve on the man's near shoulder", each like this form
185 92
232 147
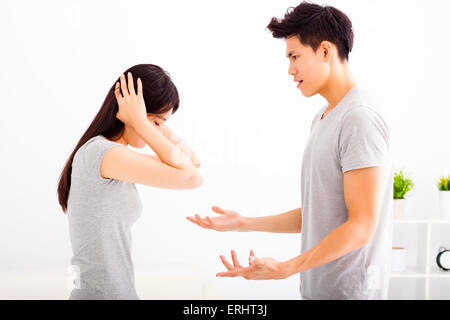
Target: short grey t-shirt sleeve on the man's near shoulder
363 140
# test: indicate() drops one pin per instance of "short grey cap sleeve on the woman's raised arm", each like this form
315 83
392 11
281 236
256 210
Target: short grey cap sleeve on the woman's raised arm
93 155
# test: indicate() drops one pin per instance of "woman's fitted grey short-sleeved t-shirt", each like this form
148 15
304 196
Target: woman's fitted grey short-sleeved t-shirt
100 214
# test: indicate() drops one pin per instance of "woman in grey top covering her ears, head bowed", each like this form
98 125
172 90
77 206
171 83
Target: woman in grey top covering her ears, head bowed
97 186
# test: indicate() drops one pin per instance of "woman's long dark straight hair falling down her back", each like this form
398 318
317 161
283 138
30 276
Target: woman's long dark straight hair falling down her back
160 95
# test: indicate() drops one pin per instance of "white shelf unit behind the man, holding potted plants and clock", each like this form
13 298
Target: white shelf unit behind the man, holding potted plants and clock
422 278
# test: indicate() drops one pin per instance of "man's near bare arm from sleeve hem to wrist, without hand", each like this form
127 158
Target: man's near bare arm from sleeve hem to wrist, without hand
363 189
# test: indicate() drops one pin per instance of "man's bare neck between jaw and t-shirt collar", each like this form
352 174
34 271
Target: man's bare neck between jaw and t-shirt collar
338 85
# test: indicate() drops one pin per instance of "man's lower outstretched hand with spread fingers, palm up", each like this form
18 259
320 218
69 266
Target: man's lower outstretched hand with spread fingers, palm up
258 269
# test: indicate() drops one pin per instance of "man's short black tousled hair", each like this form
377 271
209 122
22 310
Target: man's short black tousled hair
314 23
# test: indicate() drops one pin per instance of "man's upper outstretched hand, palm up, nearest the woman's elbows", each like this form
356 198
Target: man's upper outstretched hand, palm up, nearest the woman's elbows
227 220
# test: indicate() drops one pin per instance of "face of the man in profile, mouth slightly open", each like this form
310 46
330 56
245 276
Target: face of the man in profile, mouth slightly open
309 69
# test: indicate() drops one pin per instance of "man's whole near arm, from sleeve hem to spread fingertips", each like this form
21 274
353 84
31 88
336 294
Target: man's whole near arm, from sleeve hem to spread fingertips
363 189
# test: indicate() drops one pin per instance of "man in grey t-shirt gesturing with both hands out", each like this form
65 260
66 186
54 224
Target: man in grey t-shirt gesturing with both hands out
346 179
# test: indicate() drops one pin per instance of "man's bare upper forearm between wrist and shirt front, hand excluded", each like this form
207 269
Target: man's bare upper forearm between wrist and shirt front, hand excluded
287 222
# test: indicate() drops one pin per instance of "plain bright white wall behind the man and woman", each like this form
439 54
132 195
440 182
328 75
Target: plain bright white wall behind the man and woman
240 111
